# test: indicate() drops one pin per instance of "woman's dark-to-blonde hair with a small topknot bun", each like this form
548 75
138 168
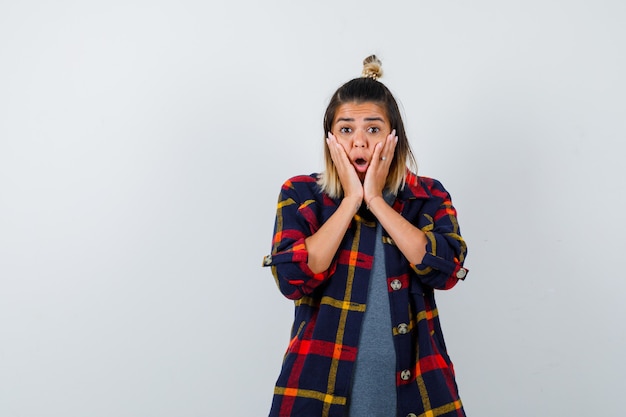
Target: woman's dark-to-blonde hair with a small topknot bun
360 90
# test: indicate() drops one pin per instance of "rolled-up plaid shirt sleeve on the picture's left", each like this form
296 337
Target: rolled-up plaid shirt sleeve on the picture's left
296 219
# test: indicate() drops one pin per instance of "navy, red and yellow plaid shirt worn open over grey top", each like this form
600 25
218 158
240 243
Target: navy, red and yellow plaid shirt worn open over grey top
317 368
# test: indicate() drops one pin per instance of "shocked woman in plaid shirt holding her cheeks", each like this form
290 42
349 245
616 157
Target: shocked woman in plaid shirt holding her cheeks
360 248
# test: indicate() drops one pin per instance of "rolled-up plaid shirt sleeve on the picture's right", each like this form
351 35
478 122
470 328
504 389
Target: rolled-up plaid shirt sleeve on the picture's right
442 266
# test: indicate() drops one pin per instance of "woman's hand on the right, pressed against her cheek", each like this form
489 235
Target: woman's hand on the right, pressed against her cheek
377 173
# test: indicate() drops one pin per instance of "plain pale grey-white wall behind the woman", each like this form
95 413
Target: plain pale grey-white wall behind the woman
143 145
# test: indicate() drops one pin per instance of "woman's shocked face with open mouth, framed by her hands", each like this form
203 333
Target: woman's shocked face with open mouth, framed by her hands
358 127
